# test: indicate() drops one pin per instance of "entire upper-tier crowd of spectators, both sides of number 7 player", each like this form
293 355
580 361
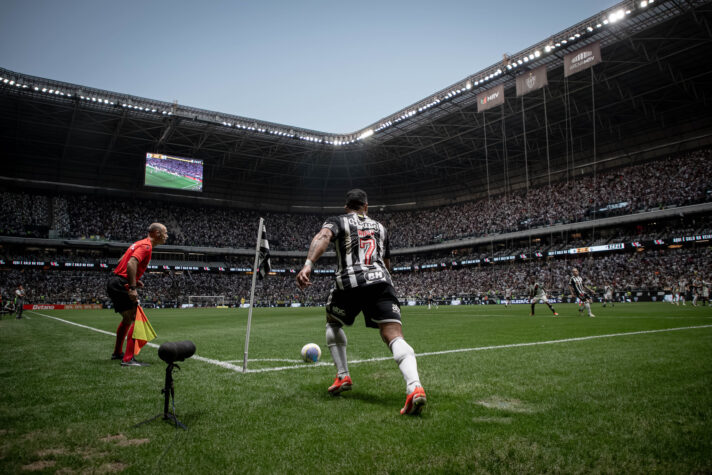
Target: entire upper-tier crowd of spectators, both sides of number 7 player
673 181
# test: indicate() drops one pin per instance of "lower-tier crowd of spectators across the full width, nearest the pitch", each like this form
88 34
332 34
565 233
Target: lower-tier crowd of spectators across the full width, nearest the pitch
649 270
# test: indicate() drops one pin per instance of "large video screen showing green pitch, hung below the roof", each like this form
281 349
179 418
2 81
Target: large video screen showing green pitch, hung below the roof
164 171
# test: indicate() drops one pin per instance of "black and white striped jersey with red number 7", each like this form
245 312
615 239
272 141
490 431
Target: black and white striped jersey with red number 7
361 245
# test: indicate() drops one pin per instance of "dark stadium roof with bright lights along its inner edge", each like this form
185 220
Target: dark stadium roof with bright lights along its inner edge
649 95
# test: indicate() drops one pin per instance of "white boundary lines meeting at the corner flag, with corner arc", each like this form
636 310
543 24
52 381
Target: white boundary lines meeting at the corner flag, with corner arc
228 365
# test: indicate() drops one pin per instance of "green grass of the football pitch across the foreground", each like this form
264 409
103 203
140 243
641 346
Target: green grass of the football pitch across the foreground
636 403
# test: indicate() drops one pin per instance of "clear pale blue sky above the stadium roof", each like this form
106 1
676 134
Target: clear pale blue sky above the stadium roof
324 65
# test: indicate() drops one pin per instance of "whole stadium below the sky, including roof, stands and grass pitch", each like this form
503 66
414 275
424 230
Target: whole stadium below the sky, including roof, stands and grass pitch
591 149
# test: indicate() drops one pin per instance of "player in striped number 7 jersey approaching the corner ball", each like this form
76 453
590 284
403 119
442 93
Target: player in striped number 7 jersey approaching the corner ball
362 284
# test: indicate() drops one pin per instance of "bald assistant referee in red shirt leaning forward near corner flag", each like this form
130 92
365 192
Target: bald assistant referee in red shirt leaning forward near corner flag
122 286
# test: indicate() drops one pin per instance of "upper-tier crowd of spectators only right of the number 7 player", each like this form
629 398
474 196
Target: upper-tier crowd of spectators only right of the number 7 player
674 181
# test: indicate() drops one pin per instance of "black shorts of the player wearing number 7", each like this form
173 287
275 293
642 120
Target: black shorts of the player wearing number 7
378 302
